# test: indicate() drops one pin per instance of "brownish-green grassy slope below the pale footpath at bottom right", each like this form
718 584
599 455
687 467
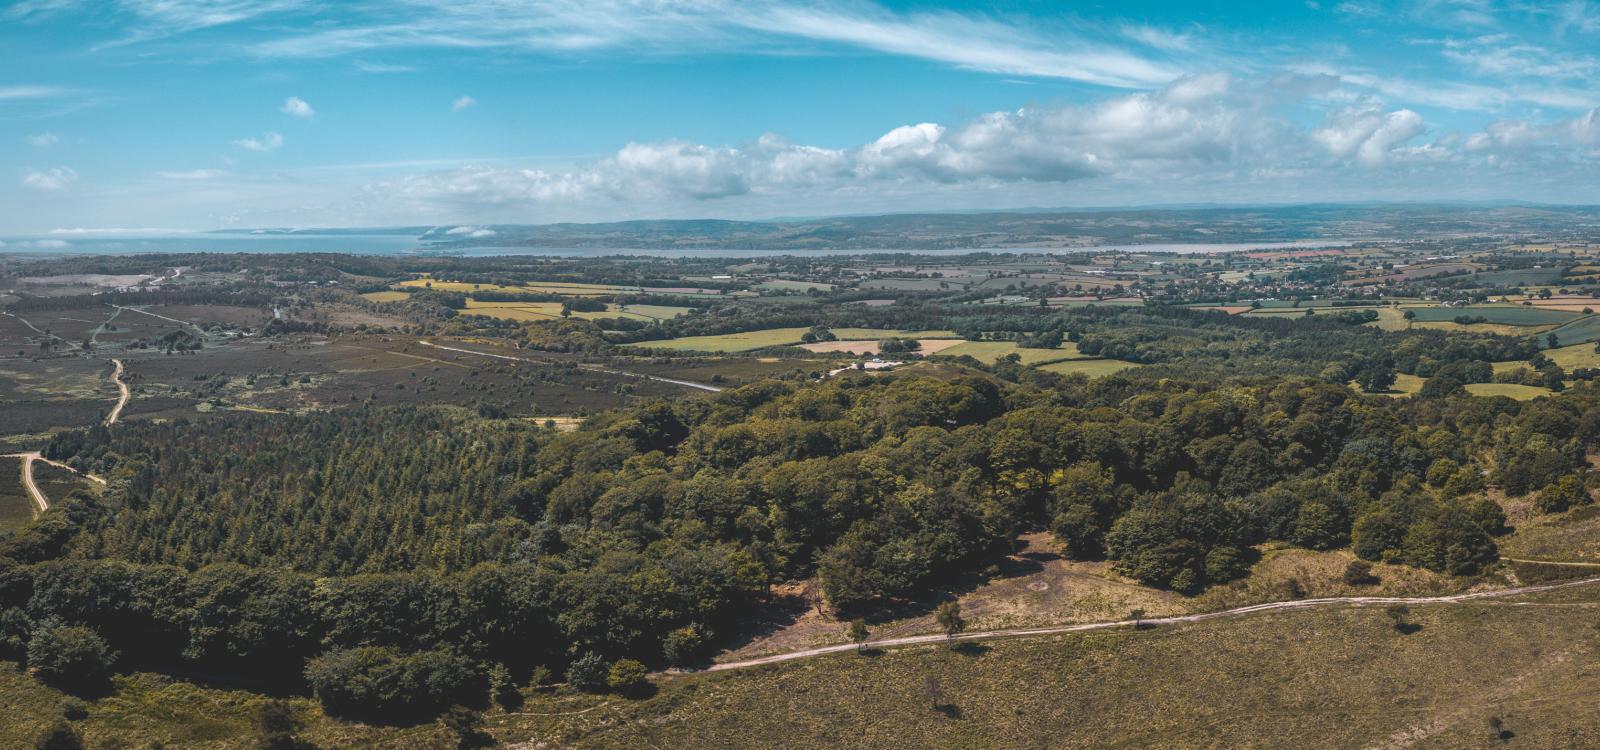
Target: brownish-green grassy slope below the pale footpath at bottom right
1311 679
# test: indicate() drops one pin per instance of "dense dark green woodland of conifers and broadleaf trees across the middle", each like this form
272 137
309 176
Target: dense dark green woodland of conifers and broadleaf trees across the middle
412 549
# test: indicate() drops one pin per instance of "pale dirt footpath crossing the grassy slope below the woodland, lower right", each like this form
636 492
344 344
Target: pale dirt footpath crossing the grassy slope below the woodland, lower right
918 640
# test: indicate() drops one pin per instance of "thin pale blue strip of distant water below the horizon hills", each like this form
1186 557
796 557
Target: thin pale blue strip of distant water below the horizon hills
390 245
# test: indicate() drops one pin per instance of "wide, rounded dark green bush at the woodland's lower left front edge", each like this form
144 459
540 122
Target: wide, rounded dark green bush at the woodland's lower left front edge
382 684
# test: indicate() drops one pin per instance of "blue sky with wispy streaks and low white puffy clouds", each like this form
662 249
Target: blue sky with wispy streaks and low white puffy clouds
158 116
